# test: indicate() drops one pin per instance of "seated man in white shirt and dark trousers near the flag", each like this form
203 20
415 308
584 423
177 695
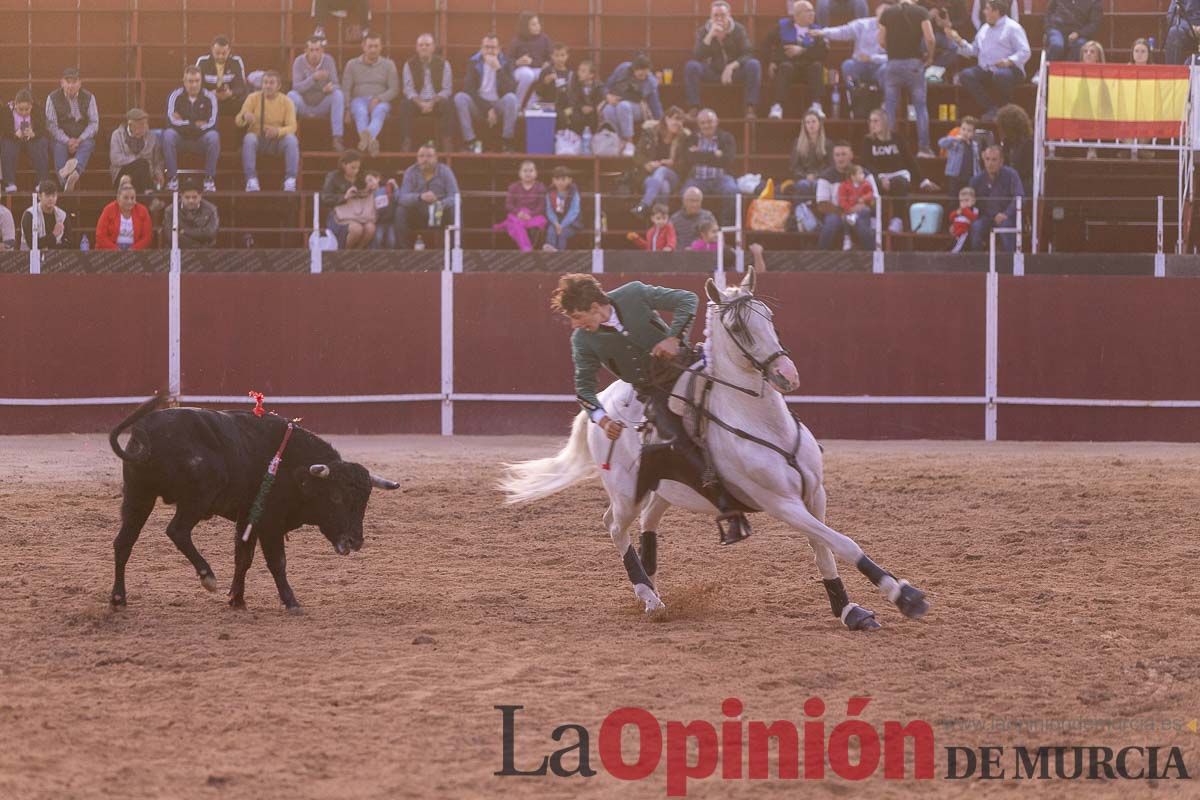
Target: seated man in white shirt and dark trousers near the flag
1003 50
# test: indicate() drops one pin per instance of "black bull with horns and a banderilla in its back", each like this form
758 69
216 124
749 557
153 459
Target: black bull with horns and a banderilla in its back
212 465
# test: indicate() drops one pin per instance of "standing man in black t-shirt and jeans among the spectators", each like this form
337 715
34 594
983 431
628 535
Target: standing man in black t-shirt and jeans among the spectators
908 35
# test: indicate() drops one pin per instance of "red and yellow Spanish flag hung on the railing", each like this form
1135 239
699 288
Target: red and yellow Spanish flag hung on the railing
1115 101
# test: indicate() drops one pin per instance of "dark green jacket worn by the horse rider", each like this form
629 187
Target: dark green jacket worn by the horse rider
627 354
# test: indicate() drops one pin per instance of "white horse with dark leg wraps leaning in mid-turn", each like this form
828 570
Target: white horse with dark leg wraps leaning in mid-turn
764 455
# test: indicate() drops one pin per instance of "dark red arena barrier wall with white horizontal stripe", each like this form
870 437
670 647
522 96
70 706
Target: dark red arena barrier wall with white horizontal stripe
881 357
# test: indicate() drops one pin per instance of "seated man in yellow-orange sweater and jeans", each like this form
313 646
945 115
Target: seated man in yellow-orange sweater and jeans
271 121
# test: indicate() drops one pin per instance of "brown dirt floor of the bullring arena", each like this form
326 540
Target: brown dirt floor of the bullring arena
1063 580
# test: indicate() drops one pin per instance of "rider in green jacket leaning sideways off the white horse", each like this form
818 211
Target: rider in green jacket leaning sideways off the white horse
622 330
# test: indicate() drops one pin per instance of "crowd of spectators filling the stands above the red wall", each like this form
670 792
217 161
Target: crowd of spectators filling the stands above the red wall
686 153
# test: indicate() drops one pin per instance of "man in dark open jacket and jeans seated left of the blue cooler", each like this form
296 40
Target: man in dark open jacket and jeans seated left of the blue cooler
489 93
